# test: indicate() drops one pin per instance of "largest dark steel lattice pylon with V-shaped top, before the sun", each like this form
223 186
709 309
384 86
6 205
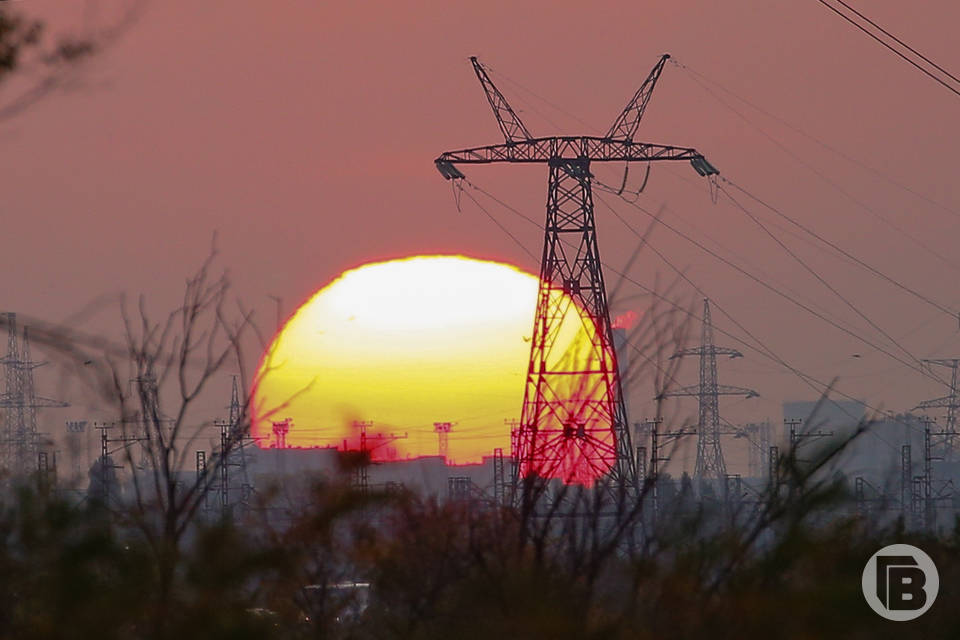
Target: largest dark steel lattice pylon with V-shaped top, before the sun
574 424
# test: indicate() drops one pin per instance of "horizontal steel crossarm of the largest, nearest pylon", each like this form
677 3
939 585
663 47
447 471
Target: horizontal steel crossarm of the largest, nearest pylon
592 148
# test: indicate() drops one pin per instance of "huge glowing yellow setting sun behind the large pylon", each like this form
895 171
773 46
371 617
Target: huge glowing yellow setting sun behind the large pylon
404 344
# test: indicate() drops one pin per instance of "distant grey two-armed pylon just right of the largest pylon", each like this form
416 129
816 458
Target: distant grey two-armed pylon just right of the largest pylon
710 462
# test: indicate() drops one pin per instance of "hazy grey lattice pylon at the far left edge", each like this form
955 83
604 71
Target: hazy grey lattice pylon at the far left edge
19 439
